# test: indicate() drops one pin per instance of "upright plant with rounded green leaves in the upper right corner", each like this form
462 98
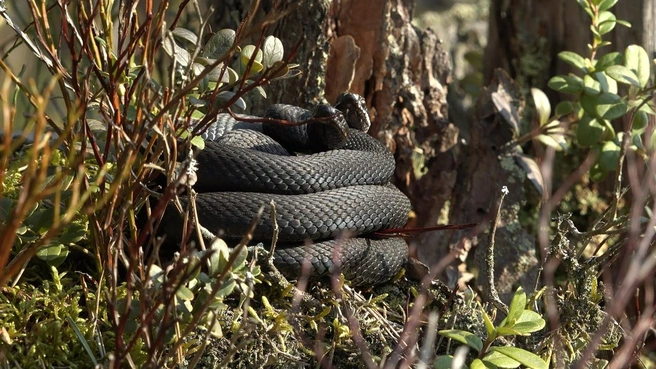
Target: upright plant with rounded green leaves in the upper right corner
599 99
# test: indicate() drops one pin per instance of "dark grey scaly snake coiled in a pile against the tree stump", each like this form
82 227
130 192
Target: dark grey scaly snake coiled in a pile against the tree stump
329 181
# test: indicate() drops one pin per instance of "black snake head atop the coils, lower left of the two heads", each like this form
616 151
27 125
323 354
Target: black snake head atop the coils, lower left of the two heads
327 128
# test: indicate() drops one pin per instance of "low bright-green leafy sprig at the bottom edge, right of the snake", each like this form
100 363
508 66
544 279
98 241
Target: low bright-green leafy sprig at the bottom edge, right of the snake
520 321
